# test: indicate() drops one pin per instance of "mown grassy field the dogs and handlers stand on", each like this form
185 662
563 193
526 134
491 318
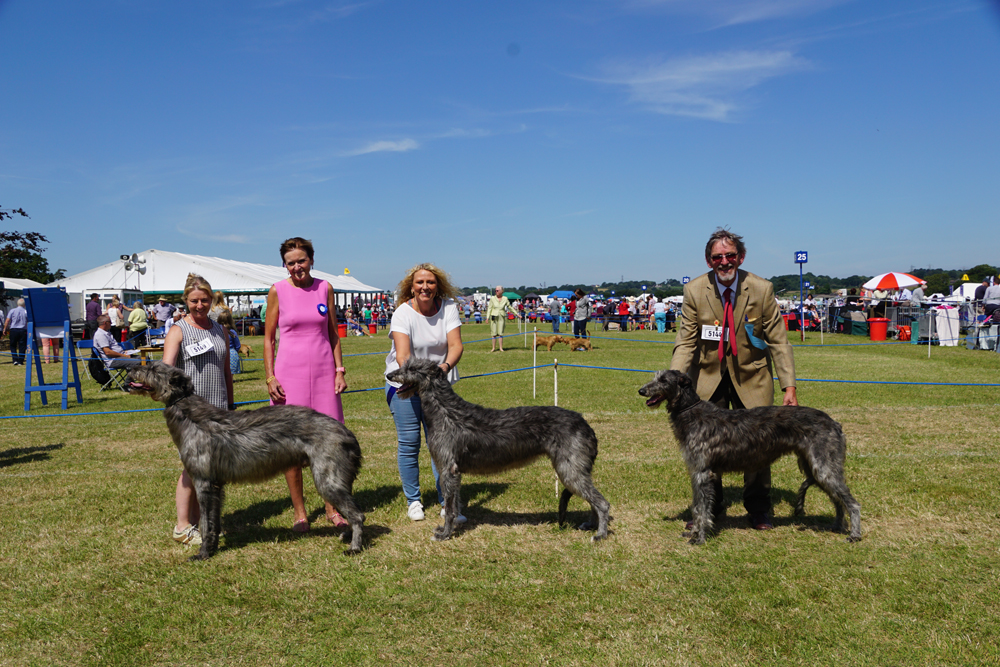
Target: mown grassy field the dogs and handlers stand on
89 574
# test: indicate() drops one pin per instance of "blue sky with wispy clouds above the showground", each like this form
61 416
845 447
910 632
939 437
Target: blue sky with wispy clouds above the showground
514 142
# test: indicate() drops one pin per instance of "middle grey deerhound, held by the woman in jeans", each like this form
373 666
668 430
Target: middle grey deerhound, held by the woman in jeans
467 438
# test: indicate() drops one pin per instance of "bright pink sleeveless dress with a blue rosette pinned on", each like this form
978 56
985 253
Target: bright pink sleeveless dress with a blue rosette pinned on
305 366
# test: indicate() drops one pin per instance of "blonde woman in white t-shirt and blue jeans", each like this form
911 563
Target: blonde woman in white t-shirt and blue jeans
426 325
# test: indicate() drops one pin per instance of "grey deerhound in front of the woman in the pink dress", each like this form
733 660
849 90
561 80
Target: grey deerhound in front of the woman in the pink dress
219 447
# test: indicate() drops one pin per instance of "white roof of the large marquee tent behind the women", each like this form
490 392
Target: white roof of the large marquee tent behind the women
167 271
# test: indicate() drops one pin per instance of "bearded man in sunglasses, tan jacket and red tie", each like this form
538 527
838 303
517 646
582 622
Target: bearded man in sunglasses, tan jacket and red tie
731 351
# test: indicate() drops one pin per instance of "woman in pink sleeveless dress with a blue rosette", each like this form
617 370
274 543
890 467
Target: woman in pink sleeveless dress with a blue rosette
310 368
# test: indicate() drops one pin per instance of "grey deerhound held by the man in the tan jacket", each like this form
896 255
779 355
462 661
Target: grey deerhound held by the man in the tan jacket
714 441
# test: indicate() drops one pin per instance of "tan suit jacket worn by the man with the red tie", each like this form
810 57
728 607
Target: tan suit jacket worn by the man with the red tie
751 370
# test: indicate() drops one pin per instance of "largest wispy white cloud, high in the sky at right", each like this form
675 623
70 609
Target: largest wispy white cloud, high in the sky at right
701 86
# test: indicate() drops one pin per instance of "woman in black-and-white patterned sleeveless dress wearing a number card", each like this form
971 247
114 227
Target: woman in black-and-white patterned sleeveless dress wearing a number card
199 347
